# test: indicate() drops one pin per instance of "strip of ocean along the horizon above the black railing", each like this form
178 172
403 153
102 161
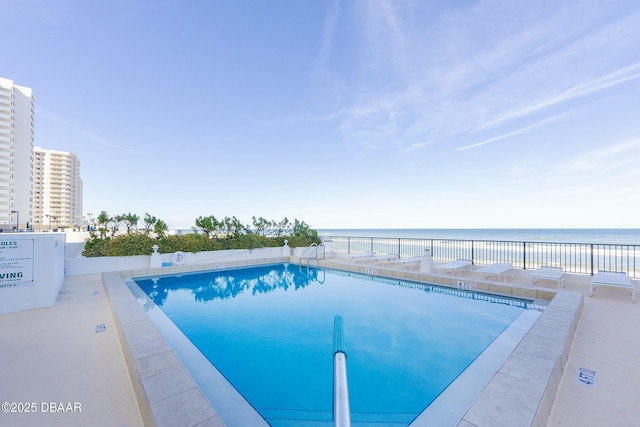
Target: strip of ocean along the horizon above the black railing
619 236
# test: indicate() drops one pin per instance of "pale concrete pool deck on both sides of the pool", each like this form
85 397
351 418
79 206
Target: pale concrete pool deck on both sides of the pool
63 355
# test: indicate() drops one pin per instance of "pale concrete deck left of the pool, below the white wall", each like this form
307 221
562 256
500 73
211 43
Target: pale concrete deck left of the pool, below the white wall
58 355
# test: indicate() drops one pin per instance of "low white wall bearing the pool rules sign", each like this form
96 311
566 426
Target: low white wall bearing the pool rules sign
41 268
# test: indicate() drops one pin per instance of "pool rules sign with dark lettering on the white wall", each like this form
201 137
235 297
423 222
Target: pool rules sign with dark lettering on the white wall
16 262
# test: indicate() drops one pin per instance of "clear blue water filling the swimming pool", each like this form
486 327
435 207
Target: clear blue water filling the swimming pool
269 331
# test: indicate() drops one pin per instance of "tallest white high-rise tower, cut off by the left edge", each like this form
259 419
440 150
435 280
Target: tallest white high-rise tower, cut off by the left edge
16 155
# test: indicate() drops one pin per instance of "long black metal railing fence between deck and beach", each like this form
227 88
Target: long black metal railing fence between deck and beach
581 258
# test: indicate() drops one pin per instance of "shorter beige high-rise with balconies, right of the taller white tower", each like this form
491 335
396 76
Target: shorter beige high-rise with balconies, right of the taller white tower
58 190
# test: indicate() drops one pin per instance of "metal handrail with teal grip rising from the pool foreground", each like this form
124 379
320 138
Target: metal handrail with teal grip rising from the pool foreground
341 411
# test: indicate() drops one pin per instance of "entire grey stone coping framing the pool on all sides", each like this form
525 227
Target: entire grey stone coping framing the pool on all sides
521 393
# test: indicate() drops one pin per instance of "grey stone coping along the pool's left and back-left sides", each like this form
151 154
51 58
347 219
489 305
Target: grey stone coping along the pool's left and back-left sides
166 393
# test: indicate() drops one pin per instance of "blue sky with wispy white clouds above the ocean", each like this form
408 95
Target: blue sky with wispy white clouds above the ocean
342 114
